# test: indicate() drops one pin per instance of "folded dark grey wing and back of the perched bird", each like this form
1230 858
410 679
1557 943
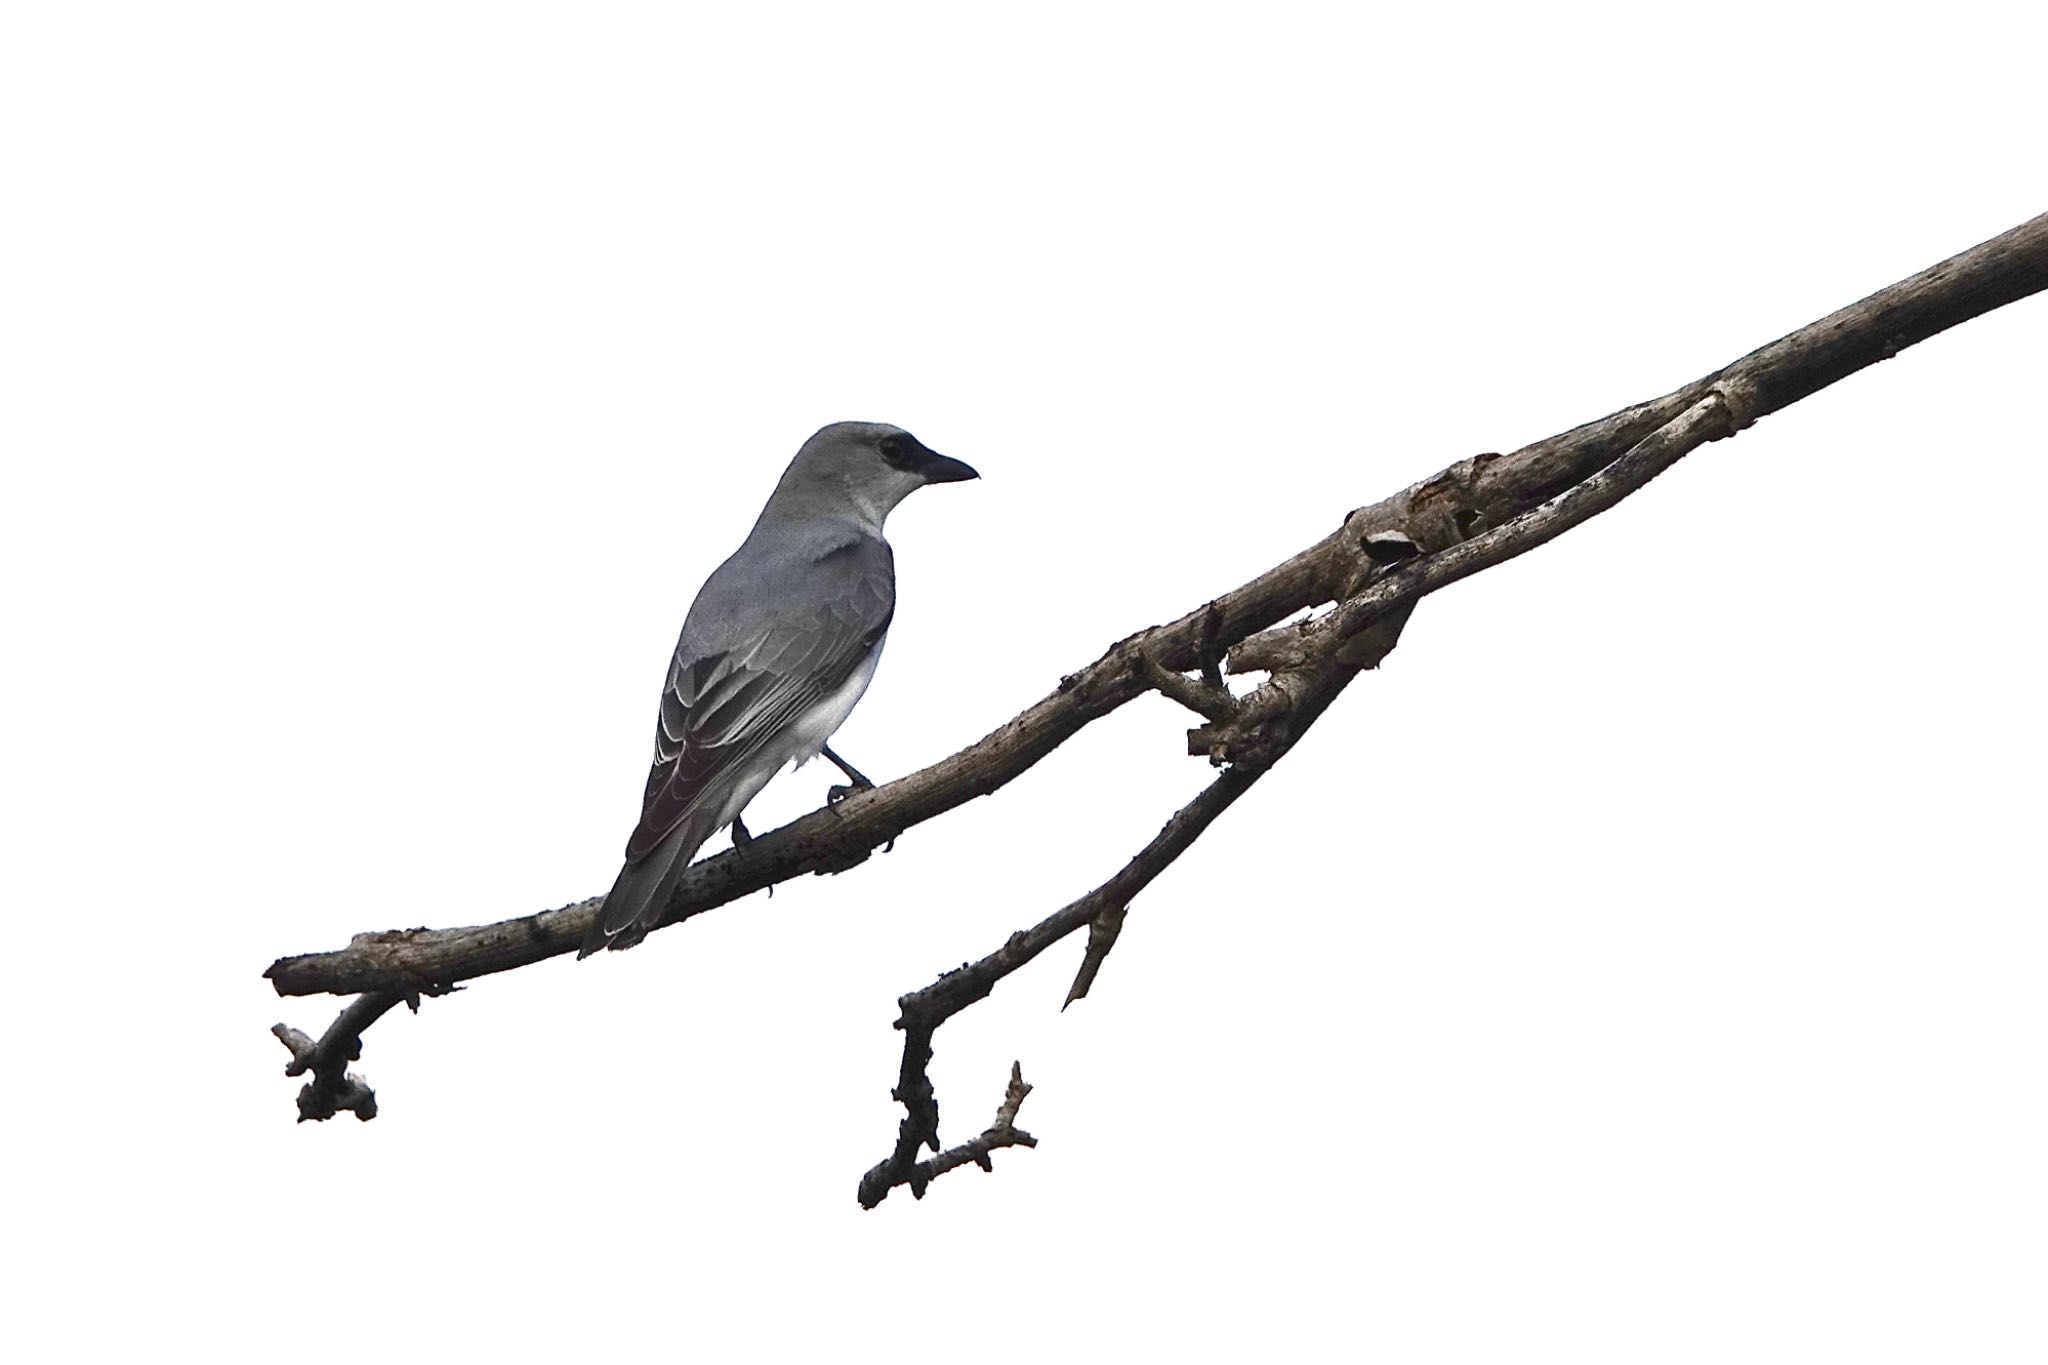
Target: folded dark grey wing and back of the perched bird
767 640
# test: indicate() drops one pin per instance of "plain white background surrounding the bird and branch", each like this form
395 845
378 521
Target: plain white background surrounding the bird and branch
1646 965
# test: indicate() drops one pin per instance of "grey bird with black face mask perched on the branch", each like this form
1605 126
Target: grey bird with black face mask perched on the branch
775 654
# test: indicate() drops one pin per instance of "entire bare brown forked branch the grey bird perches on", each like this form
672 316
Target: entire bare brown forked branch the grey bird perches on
1375 568
